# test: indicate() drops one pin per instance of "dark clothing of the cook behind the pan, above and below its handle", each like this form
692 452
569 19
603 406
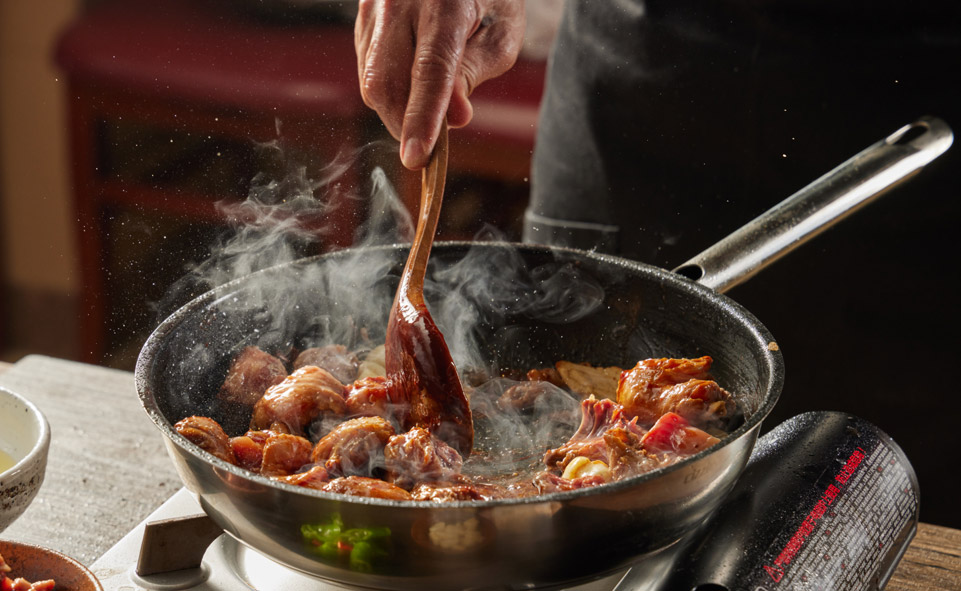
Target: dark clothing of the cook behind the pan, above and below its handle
667 125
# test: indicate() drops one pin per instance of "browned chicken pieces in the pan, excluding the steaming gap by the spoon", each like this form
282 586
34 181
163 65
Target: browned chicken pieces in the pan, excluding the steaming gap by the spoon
631 422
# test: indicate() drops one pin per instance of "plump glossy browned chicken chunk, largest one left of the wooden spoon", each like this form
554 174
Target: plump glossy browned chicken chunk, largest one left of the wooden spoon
297 401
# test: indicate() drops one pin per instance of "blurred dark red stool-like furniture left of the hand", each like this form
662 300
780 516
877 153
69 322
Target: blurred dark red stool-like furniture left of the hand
203 68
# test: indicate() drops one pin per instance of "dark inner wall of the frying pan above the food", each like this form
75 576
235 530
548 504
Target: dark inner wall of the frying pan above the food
501 307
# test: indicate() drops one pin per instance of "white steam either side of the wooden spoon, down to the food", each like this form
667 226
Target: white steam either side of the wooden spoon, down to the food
286 303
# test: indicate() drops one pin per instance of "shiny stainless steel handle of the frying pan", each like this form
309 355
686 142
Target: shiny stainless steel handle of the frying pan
820 205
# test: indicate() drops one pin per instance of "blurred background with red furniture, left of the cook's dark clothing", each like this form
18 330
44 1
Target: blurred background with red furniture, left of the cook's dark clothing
127 127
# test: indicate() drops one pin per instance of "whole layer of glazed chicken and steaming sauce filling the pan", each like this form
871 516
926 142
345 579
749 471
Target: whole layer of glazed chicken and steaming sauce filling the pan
555 429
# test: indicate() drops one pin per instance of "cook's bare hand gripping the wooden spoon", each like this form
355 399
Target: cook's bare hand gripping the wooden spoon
419 60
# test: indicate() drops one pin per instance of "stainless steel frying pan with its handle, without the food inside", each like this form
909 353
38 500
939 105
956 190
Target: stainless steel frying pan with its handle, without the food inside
551 304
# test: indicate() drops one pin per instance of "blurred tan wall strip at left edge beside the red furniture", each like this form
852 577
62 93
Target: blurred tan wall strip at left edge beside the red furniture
39 272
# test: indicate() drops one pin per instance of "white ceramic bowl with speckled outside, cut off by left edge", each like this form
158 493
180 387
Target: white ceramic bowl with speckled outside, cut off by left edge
25 437
